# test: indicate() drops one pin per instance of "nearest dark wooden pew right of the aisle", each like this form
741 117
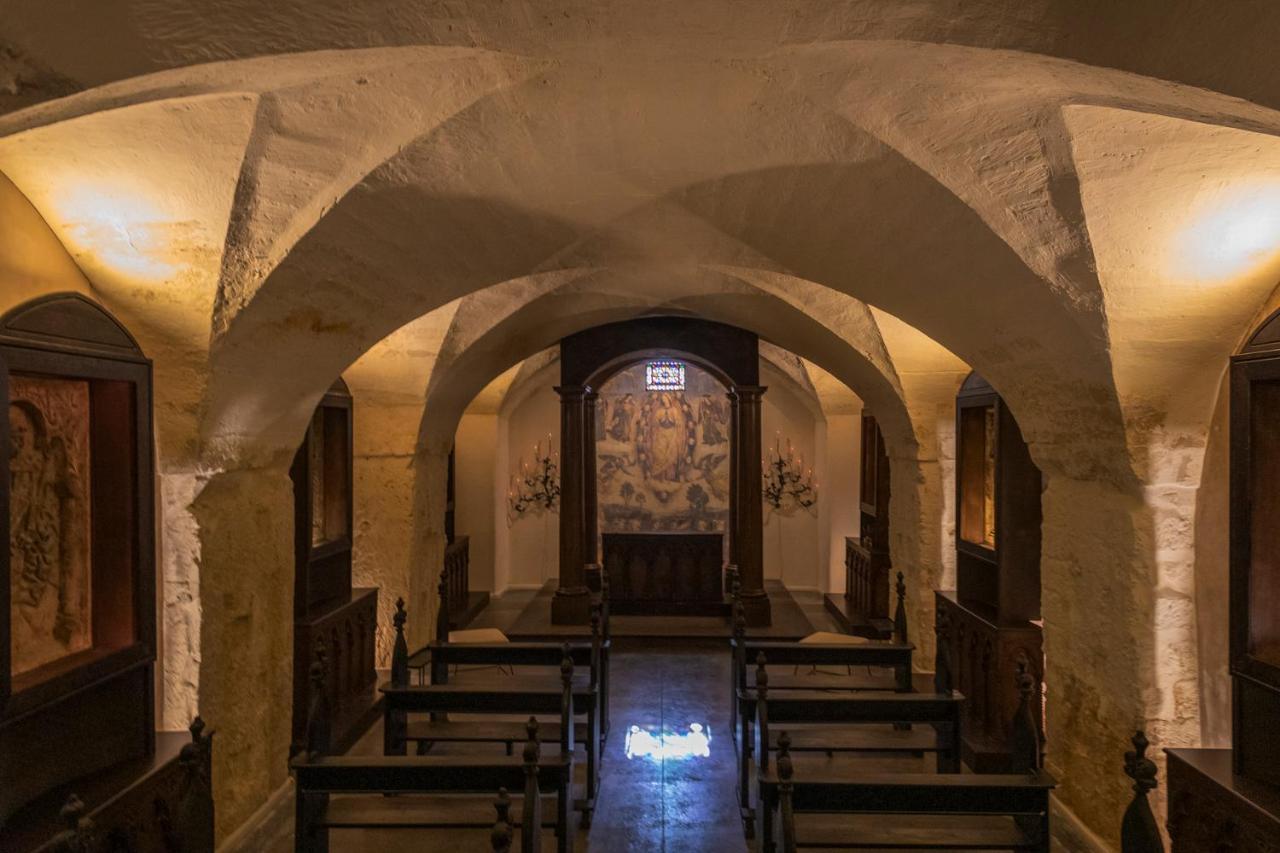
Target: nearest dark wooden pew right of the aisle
917 811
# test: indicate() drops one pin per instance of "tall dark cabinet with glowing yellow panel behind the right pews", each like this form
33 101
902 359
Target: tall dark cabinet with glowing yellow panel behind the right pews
989 626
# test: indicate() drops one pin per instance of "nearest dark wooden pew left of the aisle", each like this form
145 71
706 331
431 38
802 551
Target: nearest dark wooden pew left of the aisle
319 777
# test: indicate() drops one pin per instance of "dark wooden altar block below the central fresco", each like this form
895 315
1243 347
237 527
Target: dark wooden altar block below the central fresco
665 573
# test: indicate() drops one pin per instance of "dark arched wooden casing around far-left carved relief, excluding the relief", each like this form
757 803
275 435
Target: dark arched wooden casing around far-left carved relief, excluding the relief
94 710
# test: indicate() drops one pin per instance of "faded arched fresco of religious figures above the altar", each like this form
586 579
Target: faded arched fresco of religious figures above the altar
662 457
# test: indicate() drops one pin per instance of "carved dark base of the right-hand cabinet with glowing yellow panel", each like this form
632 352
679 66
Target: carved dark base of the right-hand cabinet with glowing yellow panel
985 660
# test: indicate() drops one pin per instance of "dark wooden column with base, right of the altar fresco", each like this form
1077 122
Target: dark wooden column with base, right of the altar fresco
751 512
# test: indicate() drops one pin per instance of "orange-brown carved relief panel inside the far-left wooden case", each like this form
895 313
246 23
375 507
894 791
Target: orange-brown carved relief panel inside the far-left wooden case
49 521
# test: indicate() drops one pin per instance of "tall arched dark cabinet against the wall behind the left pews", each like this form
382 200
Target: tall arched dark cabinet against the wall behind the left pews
331 619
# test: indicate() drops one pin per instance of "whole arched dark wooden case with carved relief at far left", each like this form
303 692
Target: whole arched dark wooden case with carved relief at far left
77 574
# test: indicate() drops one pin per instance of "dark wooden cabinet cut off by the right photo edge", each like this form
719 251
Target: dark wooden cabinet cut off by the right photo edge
1231 799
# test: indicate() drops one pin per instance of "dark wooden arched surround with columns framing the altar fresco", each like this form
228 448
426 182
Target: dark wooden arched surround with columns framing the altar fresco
588 359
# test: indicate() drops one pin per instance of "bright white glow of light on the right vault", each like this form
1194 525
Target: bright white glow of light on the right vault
1235 235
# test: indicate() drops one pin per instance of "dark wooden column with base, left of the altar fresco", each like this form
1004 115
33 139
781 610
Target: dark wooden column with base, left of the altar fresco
573 601
